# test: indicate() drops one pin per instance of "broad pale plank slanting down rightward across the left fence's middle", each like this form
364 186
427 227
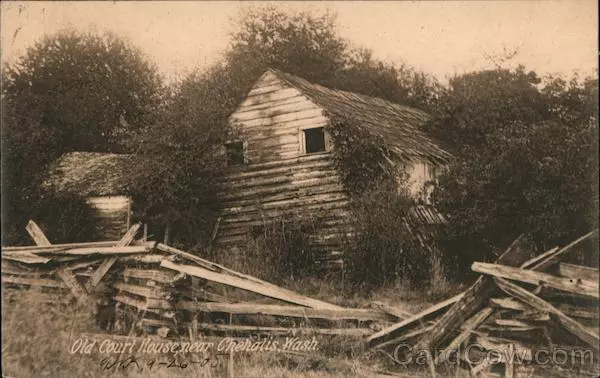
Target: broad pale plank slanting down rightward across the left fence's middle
270 291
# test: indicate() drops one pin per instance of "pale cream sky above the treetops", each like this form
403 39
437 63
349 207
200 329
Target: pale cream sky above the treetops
439 38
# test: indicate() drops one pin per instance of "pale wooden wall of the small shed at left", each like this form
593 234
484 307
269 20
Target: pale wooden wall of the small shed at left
113 216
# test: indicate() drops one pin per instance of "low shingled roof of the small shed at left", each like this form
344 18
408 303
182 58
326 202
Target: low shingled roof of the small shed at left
90 173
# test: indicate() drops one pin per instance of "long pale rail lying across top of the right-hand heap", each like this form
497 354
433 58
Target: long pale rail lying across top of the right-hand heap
570 285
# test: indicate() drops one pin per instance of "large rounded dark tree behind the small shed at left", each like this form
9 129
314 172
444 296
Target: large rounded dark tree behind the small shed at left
68 92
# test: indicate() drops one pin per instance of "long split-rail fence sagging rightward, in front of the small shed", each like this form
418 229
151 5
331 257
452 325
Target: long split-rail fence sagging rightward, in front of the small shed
147 287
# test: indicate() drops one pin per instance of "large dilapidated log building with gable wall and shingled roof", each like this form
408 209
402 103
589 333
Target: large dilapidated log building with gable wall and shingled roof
282 165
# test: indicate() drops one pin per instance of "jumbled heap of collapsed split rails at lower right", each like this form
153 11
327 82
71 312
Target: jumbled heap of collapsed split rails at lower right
540 309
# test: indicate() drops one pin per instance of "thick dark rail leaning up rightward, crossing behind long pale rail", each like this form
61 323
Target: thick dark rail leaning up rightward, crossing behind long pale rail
475 297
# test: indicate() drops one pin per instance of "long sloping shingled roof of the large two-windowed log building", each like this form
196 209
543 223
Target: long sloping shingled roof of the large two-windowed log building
398 125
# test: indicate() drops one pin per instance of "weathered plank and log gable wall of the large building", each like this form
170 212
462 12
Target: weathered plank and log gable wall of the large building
279 179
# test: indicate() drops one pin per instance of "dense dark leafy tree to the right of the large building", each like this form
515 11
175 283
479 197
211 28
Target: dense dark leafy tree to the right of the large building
525 160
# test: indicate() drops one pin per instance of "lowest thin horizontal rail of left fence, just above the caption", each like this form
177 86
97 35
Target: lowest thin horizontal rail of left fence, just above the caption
349 332
